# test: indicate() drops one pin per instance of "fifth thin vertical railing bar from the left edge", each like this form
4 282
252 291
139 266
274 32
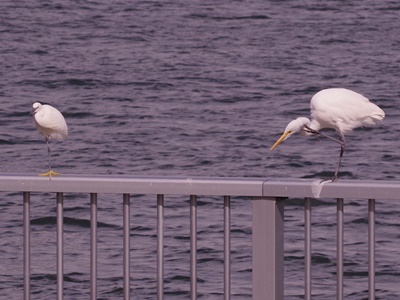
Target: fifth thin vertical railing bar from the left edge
160 247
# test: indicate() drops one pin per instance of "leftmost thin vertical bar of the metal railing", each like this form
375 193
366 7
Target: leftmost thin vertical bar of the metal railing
27 247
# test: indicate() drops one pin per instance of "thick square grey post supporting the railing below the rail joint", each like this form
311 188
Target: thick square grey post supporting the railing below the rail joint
268 248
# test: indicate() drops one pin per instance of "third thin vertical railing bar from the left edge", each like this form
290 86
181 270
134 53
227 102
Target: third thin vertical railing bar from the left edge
93 246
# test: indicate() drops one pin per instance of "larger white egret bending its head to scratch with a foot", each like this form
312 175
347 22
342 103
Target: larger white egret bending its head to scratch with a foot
337 108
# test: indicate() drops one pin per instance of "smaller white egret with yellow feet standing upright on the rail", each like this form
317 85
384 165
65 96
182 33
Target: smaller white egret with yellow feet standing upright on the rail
51 124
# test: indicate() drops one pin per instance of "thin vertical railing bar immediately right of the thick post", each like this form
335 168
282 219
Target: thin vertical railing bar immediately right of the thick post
307 247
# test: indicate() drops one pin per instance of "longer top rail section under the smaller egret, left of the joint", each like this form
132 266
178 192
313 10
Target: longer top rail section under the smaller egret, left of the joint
134 185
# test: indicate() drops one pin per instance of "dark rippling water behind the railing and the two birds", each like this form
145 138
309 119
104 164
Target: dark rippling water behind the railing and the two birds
194 88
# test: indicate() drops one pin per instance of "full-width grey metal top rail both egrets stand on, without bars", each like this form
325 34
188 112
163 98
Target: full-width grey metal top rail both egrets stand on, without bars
255 187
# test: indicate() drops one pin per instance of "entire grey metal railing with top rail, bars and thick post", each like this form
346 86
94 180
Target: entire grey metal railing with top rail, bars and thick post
268 243
